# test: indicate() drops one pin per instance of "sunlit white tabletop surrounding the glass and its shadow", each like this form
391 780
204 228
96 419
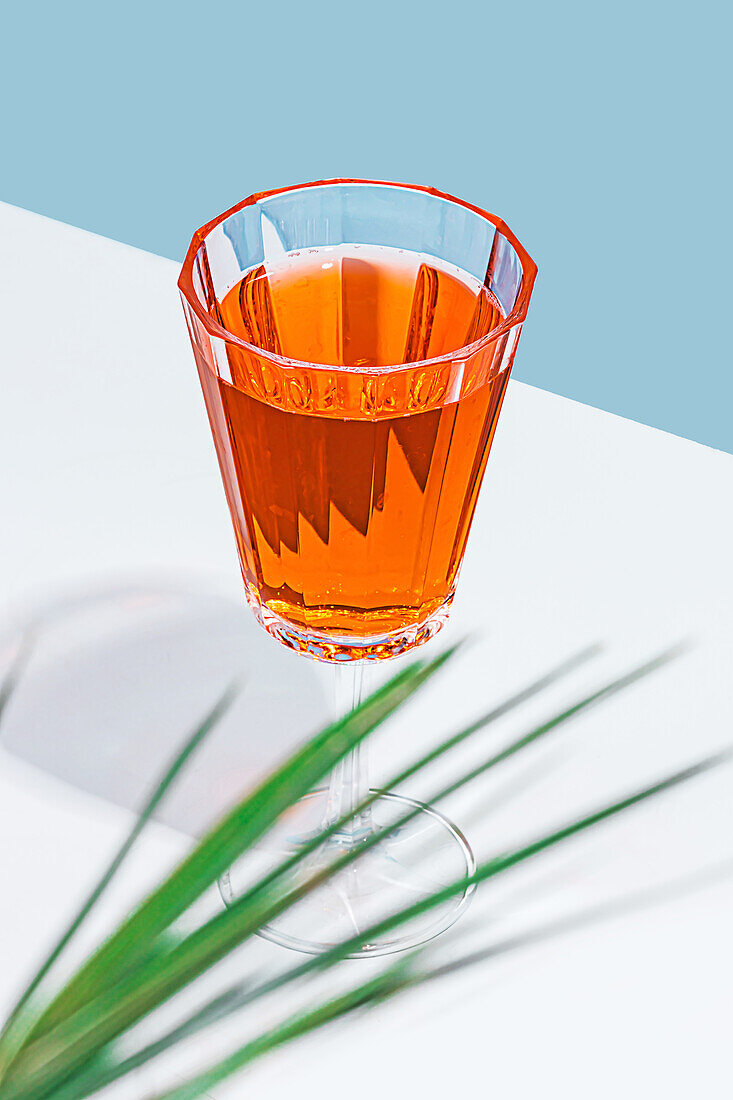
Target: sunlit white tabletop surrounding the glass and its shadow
589 529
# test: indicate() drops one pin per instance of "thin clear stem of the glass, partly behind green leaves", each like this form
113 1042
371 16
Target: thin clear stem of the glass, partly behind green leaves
349 783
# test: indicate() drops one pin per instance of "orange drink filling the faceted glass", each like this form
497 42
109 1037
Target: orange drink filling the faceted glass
353 490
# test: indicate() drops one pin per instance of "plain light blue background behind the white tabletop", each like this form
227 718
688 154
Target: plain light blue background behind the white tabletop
599 131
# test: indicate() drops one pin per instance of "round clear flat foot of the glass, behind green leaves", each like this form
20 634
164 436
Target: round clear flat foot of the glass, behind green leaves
412 863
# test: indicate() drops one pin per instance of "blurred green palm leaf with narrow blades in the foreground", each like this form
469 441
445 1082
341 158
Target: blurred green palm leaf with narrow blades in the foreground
69 1050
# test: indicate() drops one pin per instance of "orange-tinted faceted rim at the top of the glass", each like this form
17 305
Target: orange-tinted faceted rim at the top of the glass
517 316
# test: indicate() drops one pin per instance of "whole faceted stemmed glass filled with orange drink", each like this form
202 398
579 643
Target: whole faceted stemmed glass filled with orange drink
354 342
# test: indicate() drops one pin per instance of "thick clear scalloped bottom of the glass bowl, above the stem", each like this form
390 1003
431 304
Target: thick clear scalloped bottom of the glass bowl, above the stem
325 646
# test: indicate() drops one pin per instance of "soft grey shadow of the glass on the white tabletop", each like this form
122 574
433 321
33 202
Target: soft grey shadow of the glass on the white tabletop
115 678
